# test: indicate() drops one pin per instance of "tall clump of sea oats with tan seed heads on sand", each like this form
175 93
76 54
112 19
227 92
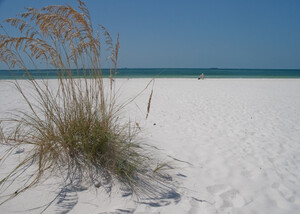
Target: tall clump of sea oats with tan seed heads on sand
75 129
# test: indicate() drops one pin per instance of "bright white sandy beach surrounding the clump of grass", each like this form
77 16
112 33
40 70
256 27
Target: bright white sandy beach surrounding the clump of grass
234 145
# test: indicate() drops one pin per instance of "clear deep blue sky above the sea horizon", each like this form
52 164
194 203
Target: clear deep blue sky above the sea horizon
194 33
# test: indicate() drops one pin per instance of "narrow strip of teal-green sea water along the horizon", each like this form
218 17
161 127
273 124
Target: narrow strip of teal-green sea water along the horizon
168 73
